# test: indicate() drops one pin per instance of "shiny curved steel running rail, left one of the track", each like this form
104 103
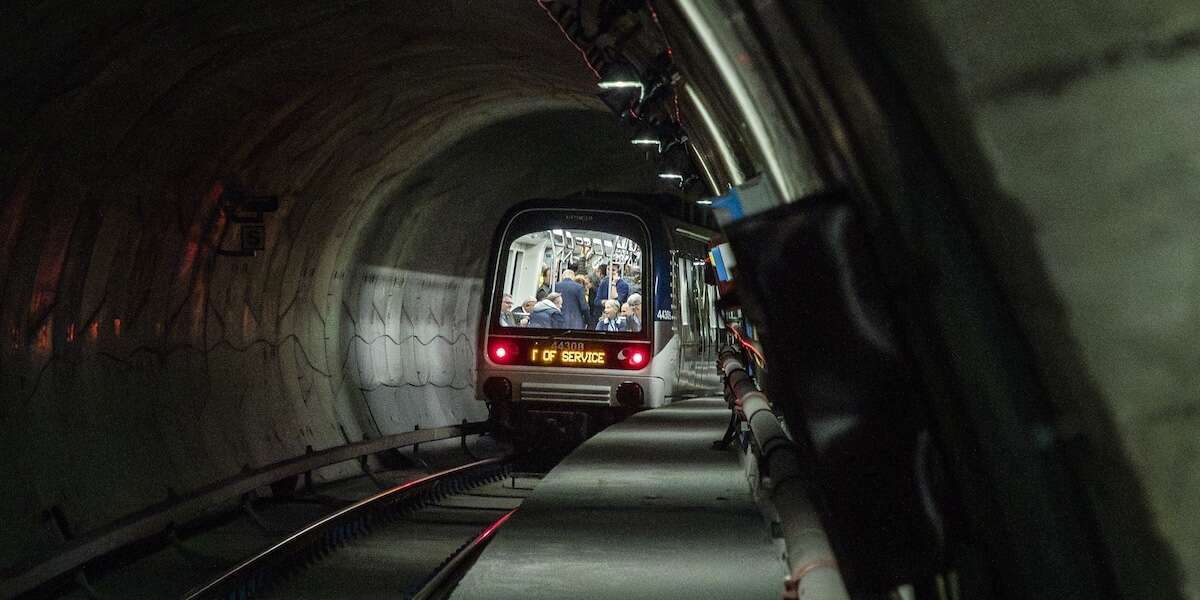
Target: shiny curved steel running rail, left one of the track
298 541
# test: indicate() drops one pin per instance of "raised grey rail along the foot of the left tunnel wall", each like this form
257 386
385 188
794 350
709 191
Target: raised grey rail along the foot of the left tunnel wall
163 518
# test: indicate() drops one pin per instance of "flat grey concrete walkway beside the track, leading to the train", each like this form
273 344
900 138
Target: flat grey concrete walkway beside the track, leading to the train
646 509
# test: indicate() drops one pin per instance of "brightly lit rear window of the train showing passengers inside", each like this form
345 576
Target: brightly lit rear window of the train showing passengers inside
580 280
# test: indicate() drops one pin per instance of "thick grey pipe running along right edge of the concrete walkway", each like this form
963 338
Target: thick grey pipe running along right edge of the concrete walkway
815 573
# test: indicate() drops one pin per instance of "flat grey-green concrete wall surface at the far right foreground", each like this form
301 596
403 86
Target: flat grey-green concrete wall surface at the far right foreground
1084 118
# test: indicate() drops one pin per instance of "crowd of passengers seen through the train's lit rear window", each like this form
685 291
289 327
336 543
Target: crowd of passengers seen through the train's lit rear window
602 301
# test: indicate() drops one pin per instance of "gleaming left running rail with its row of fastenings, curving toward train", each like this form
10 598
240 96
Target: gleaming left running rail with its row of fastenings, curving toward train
341 524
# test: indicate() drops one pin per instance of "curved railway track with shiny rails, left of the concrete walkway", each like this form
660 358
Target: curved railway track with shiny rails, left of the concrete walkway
412 541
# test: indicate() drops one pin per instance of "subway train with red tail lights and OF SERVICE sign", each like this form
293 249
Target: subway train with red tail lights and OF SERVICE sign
563 338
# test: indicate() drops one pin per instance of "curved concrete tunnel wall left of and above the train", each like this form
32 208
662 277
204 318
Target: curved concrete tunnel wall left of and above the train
139 363
